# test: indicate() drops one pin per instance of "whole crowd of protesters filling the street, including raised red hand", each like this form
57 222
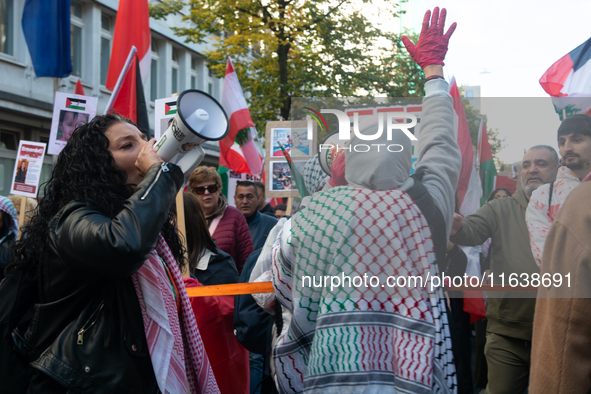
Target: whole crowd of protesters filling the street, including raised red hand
94 298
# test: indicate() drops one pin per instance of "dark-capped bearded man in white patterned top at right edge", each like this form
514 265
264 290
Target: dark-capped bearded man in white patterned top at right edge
574 142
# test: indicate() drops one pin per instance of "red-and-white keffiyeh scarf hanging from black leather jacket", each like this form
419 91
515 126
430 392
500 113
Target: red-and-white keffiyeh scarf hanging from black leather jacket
176 349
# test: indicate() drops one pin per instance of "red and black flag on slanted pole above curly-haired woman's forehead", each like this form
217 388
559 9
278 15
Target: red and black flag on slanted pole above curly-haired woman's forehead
128 98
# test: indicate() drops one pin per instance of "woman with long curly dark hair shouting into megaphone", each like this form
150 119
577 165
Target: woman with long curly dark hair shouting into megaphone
110 310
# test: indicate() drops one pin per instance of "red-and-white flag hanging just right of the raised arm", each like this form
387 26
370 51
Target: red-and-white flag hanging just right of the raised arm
468 186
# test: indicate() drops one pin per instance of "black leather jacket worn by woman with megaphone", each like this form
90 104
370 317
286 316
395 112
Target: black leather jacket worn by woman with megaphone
86 284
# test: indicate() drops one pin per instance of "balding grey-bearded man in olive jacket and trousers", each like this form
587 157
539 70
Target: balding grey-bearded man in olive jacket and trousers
510 319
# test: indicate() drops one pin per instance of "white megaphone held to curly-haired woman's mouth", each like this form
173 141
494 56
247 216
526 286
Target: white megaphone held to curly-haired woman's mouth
199 118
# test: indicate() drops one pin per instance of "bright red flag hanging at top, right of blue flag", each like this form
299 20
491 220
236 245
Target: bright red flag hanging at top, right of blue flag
132 28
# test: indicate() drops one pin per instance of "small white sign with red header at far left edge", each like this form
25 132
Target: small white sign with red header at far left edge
27 168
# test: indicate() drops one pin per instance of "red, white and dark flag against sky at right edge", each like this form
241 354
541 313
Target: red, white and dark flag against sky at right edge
568 81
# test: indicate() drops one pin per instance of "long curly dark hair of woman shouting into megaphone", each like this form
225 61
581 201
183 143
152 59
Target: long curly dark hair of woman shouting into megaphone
85 171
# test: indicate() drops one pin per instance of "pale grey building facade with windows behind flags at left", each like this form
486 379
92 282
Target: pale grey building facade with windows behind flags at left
26 102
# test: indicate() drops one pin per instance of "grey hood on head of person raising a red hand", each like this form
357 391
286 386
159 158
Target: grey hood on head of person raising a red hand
383 170
